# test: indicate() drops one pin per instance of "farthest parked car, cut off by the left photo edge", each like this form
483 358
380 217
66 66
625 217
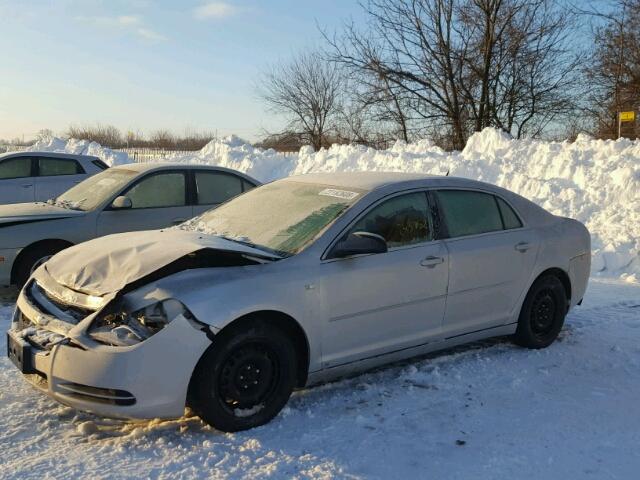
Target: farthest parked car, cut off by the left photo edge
39 176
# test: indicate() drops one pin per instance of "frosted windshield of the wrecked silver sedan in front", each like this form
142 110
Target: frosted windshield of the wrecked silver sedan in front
282 217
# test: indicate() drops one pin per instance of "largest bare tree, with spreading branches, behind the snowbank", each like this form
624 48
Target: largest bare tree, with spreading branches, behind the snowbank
462 65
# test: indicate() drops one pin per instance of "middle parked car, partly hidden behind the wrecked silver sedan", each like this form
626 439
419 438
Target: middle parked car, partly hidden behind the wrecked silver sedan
121 199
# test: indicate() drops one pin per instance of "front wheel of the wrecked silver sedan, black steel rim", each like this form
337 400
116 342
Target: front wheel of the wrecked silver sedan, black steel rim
244 378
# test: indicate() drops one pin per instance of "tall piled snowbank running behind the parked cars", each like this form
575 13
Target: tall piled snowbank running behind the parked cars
594 181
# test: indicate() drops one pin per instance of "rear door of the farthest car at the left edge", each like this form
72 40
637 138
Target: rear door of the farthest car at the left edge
57 175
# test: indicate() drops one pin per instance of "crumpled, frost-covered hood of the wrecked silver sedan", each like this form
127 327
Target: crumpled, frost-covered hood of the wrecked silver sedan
107 264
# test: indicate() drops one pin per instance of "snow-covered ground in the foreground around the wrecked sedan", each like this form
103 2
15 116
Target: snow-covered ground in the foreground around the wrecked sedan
490 410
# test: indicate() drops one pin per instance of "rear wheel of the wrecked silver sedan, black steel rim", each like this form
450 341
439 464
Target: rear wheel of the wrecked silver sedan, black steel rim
542 314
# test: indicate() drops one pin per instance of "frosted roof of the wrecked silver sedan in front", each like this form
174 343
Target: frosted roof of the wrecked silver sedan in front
377 180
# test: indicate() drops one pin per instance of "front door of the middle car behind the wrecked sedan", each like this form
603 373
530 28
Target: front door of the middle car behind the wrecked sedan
159 200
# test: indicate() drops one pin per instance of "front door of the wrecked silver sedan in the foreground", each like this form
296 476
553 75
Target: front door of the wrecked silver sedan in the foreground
386 302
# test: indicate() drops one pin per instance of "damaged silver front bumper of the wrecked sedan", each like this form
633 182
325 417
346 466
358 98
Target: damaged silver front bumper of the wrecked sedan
147 380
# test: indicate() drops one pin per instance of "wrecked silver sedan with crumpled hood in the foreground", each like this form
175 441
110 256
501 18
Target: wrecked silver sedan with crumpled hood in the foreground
296 282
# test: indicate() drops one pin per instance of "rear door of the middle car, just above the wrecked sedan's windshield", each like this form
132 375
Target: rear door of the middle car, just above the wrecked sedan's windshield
213 188
